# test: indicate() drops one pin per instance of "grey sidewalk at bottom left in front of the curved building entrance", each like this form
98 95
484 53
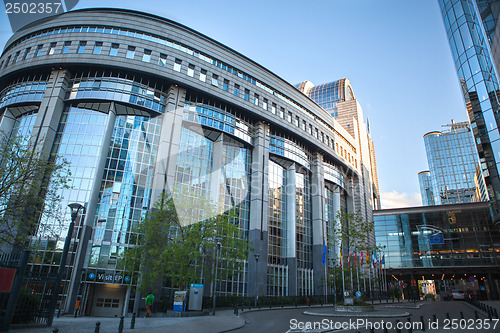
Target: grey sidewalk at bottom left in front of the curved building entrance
223 320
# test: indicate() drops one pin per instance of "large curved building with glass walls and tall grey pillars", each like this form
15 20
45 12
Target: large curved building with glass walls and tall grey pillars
136 104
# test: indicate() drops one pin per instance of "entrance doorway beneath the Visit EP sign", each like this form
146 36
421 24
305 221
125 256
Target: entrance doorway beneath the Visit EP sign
108 300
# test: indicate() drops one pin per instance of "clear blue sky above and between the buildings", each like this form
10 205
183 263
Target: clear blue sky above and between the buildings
394 52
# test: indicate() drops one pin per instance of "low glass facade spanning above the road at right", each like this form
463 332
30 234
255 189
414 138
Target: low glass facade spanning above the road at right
439 236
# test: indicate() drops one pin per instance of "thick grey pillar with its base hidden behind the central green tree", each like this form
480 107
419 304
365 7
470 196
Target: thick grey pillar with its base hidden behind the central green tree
168 145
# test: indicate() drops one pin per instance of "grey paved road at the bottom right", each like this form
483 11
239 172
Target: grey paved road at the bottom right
294 320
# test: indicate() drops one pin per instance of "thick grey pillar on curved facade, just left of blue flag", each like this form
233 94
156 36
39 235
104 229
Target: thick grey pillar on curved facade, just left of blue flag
318 223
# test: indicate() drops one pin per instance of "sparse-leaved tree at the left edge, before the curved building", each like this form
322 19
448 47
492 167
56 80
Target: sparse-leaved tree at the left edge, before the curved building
30 187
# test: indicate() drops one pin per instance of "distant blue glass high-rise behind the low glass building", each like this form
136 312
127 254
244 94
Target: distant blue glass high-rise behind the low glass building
454 176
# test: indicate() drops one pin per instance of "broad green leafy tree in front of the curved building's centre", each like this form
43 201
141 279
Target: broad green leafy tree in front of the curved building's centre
178 239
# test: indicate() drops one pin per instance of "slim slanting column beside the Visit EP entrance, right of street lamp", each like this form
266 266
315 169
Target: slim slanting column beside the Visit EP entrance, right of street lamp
90 216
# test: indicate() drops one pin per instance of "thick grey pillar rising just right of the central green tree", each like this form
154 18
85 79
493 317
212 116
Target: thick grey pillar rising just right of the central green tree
258 233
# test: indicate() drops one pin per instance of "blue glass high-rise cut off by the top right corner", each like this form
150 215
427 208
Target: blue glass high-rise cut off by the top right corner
471 28
